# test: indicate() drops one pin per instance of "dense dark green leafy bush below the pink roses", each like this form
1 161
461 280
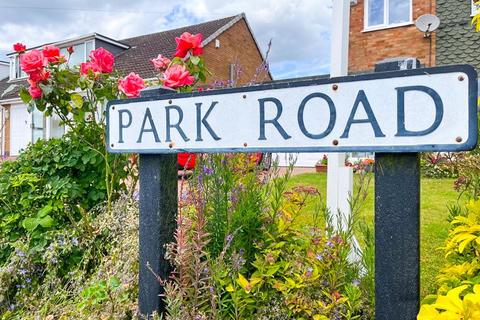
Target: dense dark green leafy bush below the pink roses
49 187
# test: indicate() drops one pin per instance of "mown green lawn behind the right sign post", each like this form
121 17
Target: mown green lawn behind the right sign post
435 195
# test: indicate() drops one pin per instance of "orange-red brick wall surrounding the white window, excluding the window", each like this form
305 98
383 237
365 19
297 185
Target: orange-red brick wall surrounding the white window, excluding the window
367 48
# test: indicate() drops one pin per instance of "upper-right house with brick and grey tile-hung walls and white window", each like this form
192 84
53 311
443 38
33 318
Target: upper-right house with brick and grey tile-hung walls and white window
385 29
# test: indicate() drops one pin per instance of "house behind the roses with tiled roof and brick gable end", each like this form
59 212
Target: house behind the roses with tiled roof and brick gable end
229 45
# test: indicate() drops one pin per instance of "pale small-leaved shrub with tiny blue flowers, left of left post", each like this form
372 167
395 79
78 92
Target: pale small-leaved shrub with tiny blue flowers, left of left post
87 271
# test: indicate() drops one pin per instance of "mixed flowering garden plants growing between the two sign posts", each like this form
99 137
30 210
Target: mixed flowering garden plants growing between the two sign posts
290 271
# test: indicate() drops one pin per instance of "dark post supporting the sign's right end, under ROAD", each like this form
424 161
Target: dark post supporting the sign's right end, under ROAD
397 232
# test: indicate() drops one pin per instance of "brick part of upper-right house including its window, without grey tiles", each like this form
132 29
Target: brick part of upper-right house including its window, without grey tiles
385 29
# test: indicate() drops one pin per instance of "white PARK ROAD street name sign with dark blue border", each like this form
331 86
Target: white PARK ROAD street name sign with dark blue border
431 109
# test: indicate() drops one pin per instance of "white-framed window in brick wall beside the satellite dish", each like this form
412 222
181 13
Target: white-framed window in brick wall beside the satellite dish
387 13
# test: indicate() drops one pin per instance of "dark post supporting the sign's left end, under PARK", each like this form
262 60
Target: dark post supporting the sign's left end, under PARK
158 212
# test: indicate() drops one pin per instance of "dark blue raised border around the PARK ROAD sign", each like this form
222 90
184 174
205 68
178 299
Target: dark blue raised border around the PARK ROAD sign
469 144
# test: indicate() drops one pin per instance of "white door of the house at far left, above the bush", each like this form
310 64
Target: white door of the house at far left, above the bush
20 129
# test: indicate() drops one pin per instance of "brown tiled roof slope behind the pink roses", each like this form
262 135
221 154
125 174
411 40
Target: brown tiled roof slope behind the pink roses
146 47
